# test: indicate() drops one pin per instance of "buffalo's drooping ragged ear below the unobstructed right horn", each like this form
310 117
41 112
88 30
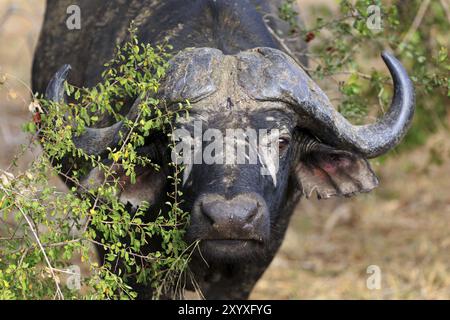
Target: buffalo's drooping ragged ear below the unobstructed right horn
332 172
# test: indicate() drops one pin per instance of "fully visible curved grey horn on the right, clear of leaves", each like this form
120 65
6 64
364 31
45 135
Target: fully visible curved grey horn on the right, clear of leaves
279 77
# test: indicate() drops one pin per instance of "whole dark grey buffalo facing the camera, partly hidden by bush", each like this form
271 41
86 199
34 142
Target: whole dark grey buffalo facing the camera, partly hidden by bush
238 75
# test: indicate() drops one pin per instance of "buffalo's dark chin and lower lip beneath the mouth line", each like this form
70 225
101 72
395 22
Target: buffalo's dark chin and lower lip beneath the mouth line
230 250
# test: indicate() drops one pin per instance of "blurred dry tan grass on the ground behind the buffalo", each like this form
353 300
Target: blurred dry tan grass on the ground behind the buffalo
403 227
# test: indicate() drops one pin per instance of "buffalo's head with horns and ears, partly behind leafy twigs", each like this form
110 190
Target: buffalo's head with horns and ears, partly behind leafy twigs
239 209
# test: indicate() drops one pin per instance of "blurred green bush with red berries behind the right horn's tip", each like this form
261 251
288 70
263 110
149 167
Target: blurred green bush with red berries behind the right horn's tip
343 47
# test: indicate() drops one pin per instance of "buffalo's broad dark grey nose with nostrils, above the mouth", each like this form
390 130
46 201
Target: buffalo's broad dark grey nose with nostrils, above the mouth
239 218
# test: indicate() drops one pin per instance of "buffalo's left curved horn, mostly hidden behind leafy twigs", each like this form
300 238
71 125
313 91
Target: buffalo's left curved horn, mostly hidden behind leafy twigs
92 141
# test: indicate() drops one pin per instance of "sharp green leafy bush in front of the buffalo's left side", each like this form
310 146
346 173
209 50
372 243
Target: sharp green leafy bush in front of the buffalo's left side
46 228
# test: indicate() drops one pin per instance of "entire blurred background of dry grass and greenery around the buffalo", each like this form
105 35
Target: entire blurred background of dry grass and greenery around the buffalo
402 227
